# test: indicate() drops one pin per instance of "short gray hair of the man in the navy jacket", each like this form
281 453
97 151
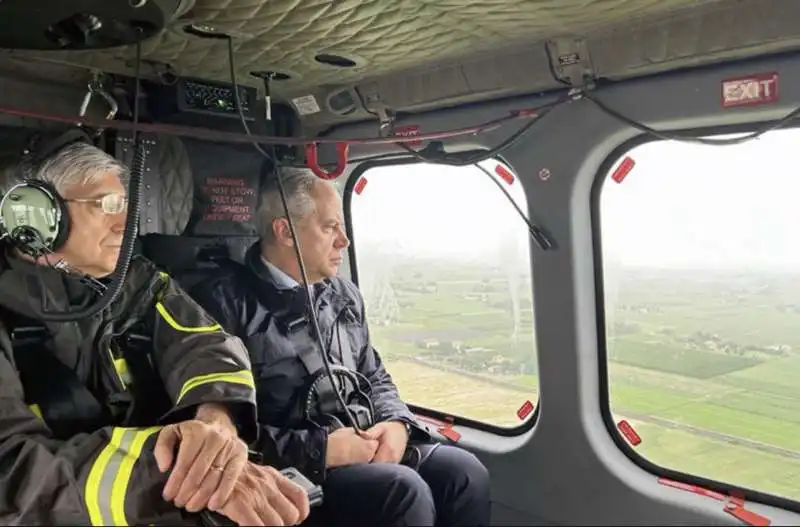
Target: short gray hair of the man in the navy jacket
298 185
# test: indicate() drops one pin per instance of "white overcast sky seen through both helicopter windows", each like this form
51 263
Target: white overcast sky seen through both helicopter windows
683 205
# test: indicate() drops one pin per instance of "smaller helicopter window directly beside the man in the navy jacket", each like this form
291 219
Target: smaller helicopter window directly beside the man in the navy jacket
443 262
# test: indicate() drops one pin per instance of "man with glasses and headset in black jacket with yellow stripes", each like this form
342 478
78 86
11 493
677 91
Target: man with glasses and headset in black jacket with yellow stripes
133 415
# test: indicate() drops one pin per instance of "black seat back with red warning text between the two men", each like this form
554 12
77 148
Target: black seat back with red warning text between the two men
198 203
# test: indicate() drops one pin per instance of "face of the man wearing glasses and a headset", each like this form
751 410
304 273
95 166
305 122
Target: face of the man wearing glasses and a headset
95 237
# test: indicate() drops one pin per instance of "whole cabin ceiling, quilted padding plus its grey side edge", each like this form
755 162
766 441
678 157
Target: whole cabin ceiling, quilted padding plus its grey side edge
419 54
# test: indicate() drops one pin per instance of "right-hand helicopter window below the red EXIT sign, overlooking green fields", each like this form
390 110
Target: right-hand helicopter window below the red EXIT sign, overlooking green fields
701 275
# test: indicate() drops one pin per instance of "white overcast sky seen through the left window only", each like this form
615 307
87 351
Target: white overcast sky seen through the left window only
431 210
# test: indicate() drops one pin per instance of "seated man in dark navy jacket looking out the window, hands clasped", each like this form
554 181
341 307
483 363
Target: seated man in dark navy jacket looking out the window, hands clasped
371 478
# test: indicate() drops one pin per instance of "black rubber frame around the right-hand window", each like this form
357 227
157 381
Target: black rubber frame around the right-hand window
604 382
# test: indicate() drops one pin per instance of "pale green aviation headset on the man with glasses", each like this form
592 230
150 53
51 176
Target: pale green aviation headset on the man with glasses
33 216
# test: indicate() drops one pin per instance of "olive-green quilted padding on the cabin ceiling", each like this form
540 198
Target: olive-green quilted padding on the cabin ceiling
380 36
